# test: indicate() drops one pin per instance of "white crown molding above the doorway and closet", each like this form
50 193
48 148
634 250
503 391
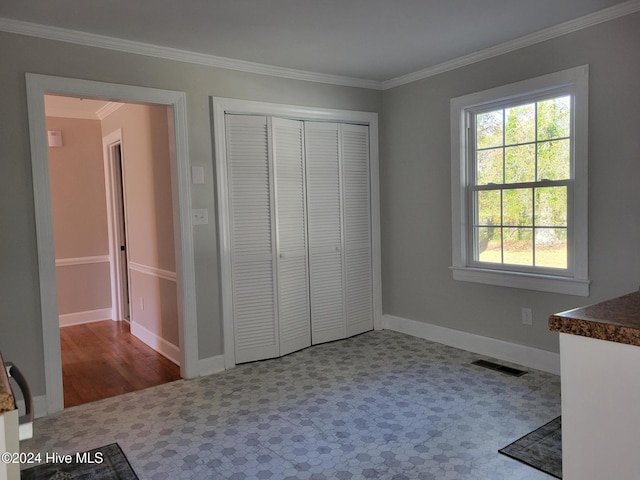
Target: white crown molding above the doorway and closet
128 46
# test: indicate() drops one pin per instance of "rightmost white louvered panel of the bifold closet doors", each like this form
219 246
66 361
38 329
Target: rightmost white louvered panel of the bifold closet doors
357 226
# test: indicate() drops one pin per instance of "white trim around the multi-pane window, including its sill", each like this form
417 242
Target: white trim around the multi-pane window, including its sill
577 283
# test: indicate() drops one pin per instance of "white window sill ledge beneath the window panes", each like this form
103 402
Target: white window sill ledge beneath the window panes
528 281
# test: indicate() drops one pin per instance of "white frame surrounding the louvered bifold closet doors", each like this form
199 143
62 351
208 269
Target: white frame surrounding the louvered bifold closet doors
220 107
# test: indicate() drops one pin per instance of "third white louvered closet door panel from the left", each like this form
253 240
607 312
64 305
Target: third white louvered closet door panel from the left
324 206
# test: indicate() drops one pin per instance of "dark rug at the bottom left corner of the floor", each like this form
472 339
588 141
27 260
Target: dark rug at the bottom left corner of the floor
104 463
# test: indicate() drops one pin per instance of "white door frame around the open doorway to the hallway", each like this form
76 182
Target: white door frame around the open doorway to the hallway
39 85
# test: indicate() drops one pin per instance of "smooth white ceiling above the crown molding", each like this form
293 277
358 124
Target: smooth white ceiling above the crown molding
369 39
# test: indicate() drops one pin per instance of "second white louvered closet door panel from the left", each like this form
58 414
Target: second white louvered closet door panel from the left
293 280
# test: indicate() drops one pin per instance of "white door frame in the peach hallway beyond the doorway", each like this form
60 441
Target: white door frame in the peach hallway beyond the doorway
115 219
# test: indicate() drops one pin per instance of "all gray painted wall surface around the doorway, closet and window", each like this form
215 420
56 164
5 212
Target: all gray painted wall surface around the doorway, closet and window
415 180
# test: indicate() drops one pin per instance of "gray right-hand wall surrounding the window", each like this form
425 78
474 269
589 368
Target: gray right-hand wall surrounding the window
416 187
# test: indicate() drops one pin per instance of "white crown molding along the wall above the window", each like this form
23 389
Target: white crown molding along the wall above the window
611 13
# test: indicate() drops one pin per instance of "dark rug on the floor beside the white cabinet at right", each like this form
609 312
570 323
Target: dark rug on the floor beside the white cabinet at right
541 449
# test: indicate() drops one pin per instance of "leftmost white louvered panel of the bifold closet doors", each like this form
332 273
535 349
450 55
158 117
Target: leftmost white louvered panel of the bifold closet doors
252 238
